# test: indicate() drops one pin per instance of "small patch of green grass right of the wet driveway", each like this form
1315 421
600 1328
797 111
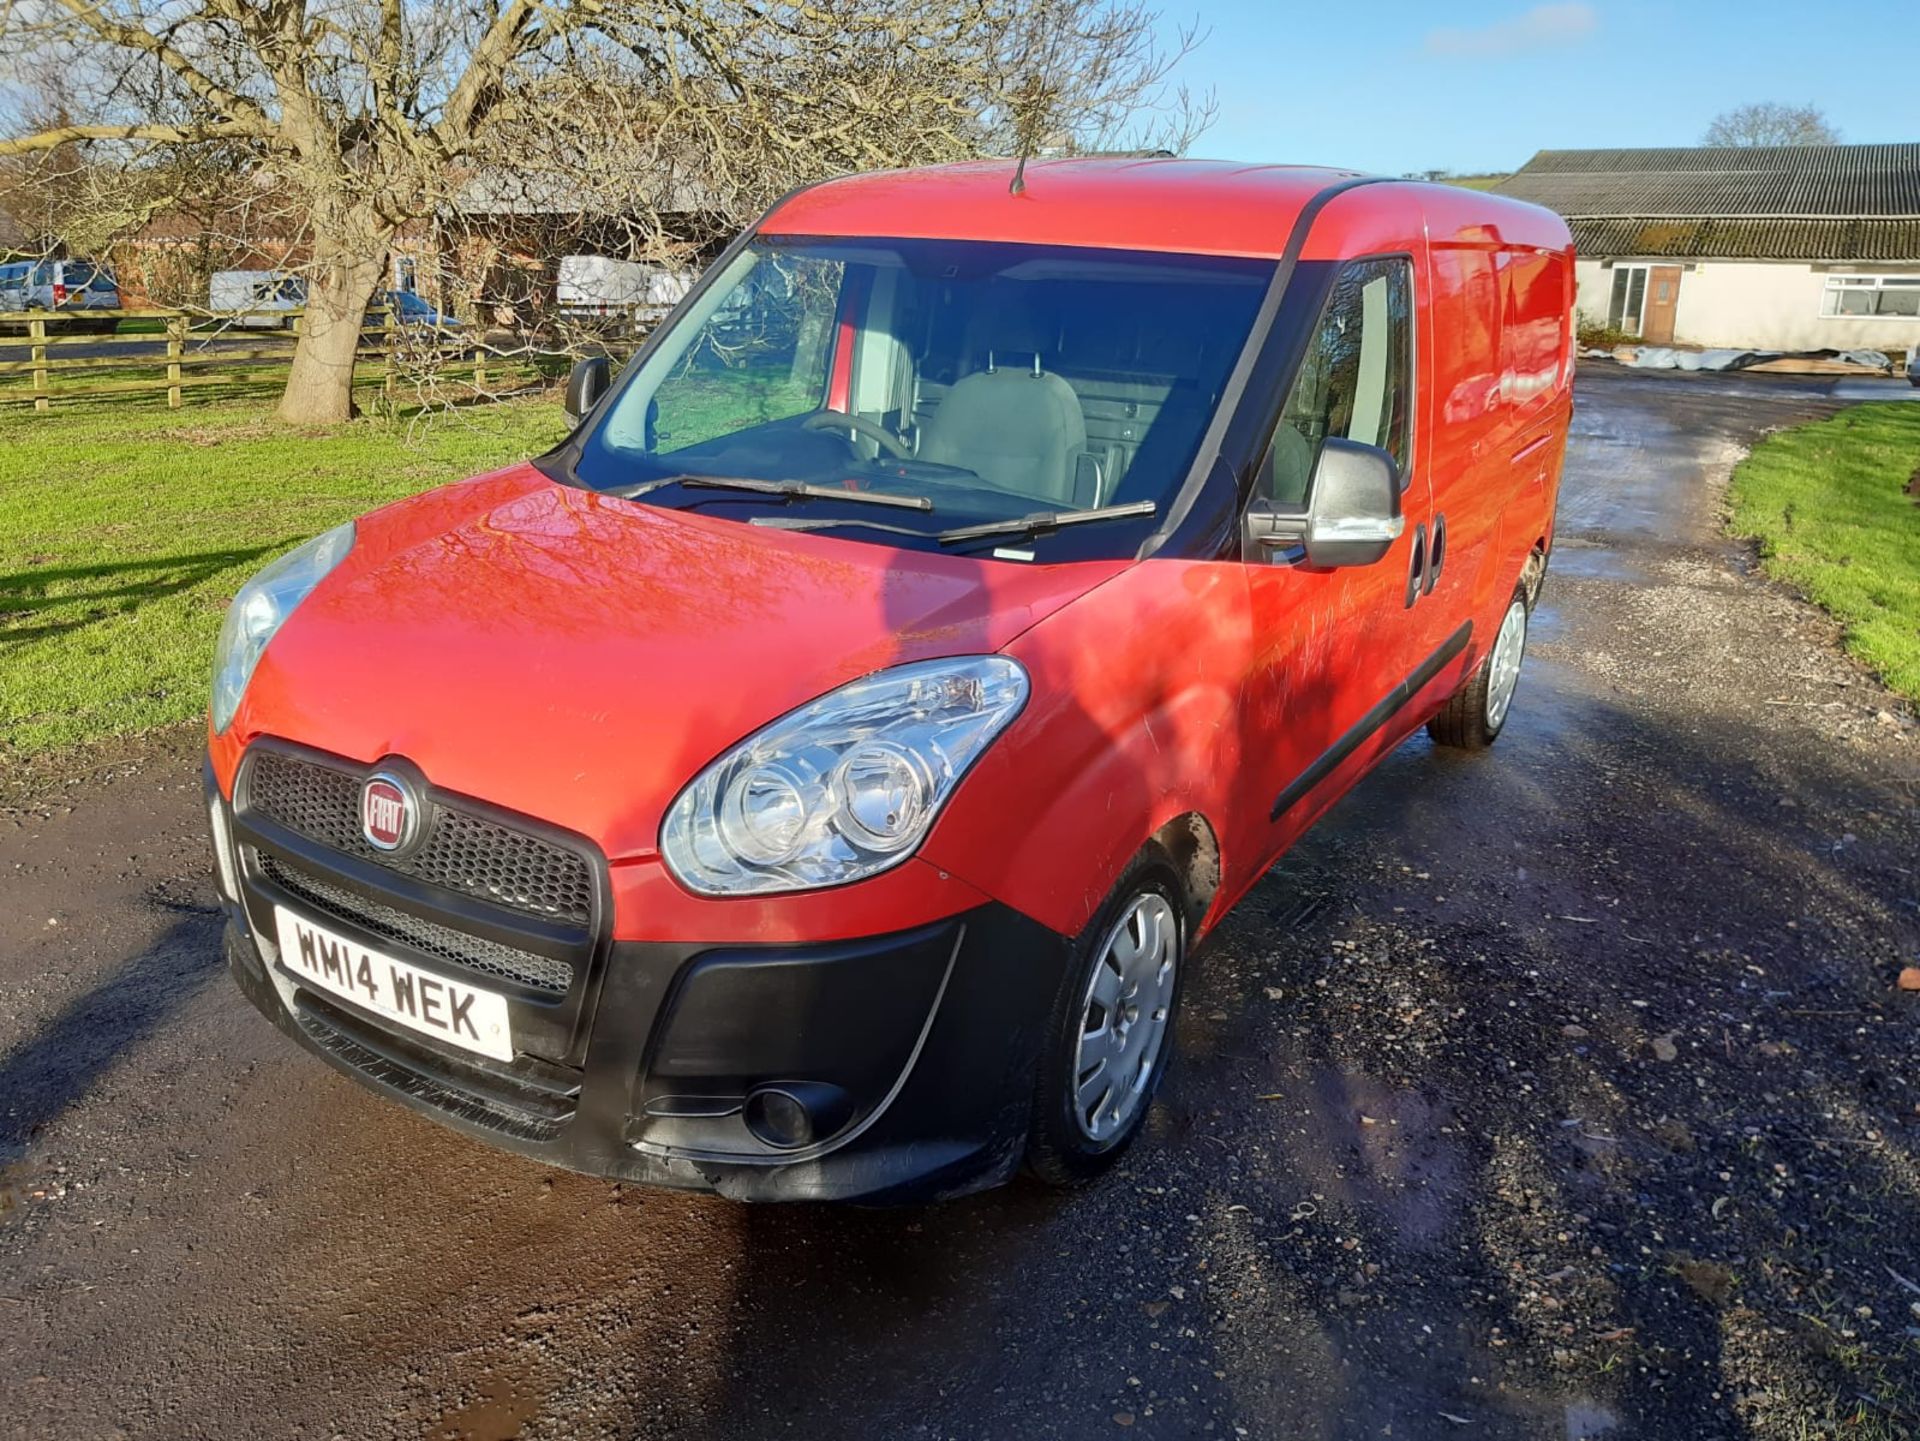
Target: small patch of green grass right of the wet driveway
1831 511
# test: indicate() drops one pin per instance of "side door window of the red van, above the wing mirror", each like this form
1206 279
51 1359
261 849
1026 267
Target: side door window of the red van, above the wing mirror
1355 381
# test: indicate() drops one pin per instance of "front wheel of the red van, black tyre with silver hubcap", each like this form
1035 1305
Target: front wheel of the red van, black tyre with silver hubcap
1111 1033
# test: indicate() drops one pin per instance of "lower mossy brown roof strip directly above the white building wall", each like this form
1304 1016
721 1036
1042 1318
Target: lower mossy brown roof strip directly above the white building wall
1748 239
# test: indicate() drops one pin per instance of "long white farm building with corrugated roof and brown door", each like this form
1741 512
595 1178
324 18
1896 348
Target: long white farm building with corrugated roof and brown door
1754 248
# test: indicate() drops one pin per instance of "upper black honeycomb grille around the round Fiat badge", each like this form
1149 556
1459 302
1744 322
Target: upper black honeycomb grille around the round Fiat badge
462 851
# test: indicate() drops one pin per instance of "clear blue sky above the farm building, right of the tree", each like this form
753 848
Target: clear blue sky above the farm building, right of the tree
1393 87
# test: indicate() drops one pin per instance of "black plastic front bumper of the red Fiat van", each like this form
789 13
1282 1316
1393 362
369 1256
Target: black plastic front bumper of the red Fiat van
913 1052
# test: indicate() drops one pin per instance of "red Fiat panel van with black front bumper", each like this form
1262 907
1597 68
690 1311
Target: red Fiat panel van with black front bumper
813 778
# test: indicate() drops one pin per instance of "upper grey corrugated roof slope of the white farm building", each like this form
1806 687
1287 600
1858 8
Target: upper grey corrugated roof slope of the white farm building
1700 181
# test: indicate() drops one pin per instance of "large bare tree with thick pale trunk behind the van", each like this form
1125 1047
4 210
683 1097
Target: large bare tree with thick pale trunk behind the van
379 112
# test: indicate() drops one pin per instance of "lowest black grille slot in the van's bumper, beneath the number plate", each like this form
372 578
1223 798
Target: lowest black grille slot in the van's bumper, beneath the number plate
527 1112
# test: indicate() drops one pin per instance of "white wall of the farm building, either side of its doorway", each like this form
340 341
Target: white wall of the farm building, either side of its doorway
1760 306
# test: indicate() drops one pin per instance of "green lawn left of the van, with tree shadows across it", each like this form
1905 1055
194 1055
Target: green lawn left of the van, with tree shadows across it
126 531
